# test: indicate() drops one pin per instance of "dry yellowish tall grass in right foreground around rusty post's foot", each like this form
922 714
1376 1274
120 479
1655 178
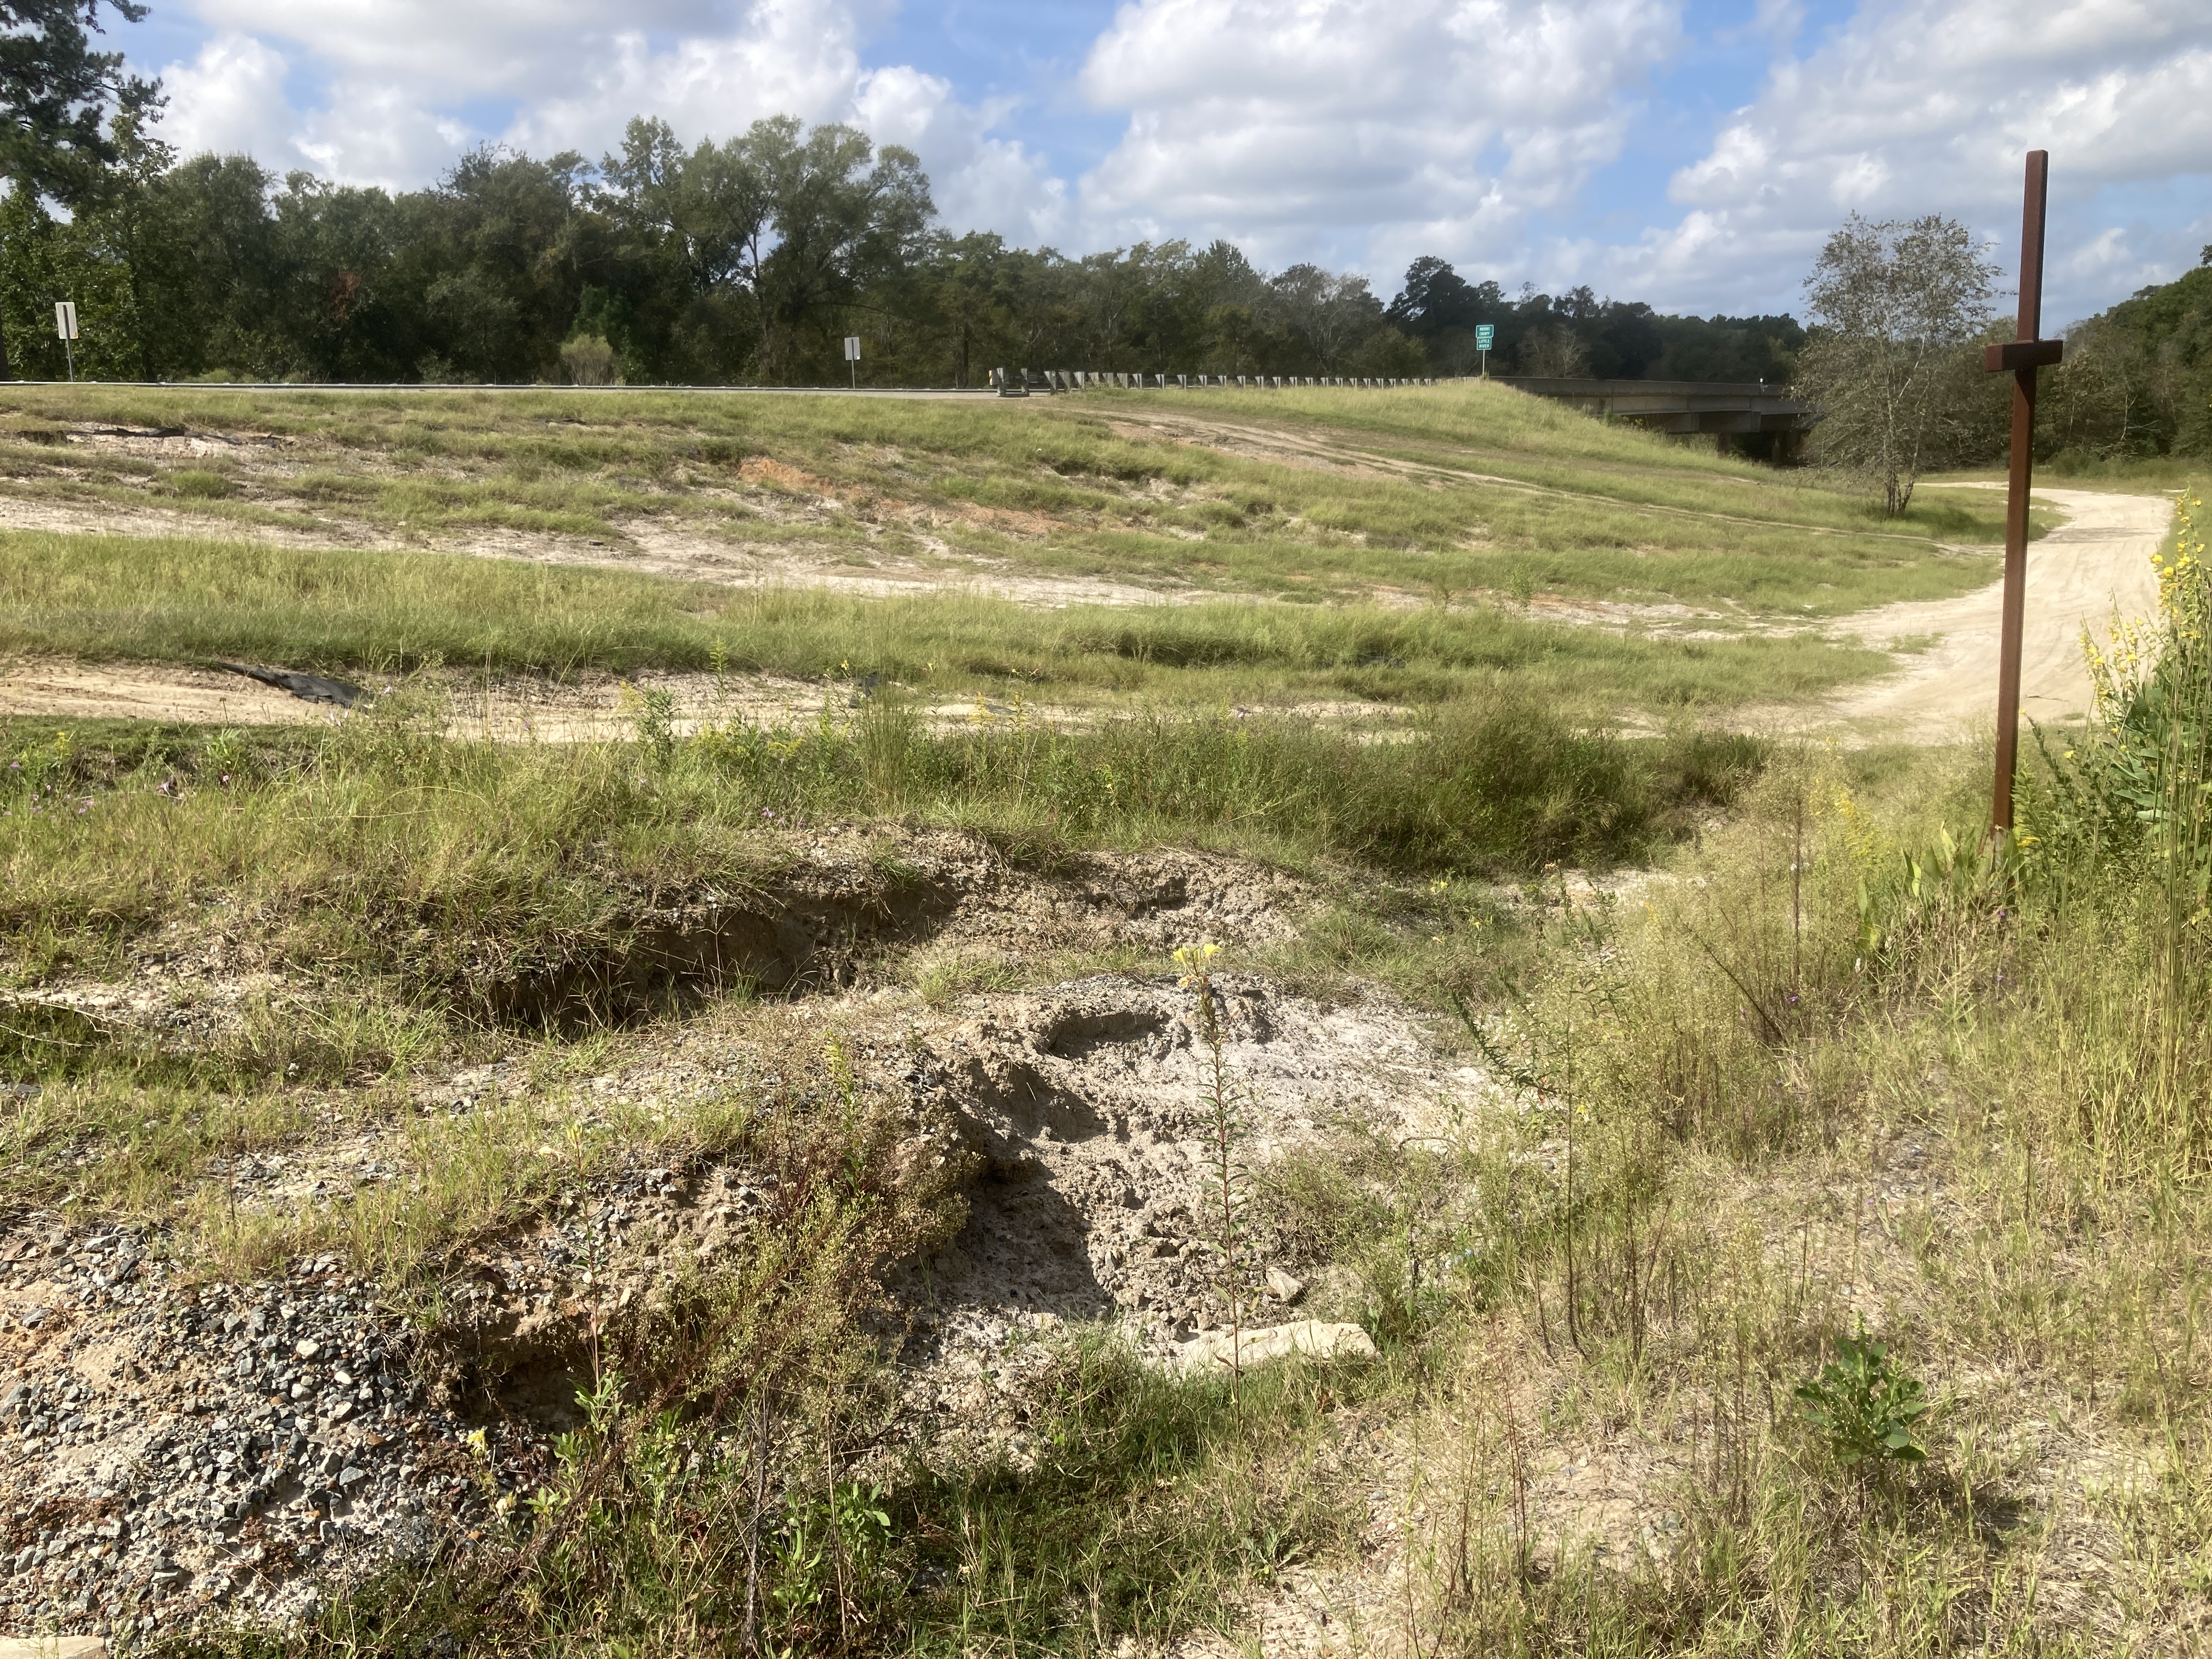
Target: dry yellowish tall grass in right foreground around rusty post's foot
1864 1072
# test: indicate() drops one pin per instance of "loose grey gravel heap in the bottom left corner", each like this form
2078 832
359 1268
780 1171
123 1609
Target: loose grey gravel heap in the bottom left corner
178 1450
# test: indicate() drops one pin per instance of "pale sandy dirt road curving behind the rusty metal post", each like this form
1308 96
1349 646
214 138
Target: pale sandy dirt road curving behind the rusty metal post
2078 576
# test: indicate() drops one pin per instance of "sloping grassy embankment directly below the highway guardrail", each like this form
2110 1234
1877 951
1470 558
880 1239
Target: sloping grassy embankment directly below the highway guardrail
1293 497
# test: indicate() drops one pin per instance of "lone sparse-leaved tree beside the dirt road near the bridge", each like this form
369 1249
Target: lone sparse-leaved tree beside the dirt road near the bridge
1899 309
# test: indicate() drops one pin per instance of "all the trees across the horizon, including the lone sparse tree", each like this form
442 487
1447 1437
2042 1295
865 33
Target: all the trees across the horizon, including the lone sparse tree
753 258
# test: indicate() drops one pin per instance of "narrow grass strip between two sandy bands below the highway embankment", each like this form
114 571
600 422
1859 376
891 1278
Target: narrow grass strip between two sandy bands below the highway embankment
180 601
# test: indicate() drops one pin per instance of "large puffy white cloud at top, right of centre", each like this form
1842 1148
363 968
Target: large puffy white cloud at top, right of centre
1300 125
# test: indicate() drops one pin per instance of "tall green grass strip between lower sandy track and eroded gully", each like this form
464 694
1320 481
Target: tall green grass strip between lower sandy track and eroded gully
393 851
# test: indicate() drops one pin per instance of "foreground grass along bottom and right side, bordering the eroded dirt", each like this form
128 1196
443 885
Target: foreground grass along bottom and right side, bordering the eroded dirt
1844 1083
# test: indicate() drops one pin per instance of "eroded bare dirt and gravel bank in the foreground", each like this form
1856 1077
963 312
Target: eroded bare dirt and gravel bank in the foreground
176 1446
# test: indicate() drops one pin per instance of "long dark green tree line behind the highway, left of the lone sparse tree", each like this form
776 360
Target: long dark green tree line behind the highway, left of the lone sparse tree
720 262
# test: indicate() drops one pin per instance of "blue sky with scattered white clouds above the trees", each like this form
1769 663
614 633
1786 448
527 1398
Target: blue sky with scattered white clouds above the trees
1682 152
